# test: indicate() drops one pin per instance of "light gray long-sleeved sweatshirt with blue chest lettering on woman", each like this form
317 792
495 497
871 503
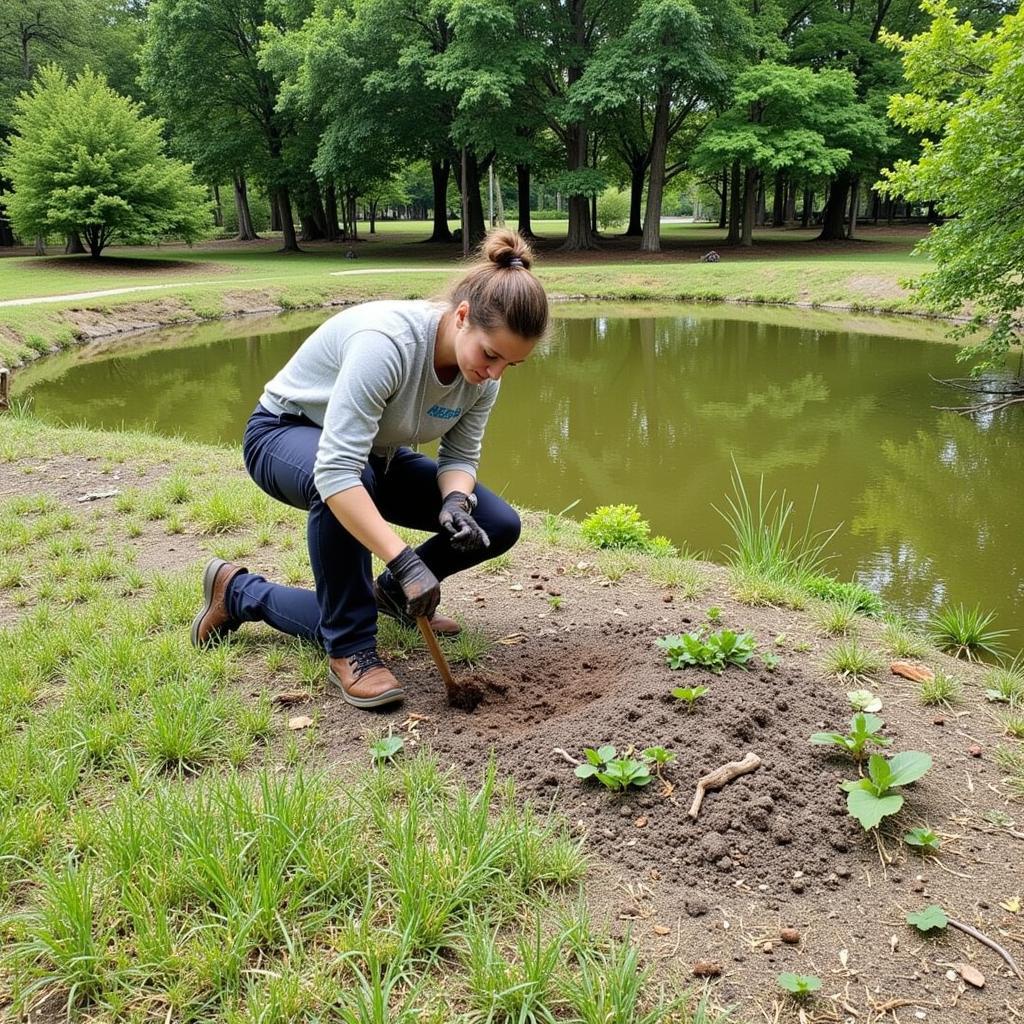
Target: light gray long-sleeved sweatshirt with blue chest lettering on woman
367 377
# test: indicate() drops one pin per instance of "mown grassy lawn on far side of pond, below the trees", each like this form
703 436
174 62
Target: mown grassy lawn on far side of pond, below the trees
182 284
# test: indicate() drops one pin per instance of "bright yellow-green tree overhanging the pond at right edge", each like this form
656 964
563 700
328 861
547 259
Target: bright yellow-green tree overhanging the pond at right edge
967 102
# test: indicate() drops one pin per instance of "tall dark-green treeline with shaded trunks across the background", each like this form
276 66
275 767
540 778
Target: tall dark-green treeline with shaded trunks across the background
307 116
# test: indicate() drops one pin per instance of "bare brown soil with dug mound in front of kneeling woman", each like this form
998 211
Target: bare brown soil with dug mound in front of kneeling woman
775 849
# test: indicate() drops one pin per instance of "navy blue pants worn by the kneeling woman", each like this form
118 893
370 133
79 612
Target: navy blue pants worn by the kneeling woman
342 616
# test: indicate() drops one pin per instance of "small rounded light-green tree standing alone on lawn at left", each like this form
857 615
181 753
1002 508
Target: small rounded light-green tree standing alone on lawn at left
84 159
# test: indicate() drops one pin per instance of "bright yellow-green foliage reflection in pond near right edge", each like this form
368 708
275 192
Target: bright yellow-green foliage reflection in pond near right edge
915 513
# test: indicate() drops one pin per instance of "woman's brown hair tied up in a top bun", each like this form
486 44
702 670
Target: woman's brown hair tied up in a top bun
500 289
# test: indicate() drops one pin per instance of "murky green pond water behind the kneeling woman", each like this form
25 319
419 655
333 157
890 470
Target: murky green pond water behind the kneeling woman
649 406
